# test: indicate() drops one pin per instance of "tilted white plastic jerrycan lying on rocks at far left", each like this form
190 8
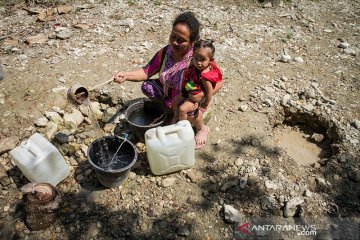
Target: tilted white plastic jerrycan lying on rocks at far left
40 161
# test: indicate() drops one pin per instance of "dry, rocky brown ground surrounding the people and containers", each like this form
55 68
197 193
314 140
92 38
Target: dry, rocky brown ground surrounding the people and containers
288 66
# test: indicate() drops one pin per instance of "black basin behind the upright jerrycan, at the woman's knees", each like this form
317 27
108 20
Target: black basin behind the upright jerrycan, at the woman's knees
144 115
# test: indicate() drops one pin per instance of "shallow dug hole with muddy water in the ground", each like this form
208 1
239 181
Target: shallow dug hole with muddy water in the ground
306 138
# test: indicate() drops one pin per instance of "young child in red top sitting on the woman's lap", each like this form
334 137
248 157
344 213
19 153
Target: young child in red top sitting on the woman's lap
200 79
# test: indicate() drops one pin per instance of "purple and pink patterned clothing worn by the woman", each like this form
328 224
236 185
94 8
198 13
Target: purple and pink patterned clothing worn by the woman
171 75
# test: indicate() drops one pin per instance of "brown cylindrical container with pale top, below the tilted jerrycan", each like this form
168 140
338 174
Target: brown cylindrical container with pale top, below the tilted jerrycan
41 206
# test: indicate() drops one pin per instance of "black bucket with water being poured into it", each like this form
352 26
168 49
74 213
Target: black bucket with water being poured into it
100 154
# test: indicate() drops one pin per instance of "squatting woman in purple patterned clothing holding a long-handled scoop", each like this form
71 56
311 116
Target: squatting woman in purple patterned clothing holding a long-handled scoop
170 63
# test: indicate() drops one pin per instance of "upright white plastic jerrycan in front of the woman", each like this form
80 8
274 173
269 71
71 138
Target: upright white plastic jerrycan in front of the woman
170 148
